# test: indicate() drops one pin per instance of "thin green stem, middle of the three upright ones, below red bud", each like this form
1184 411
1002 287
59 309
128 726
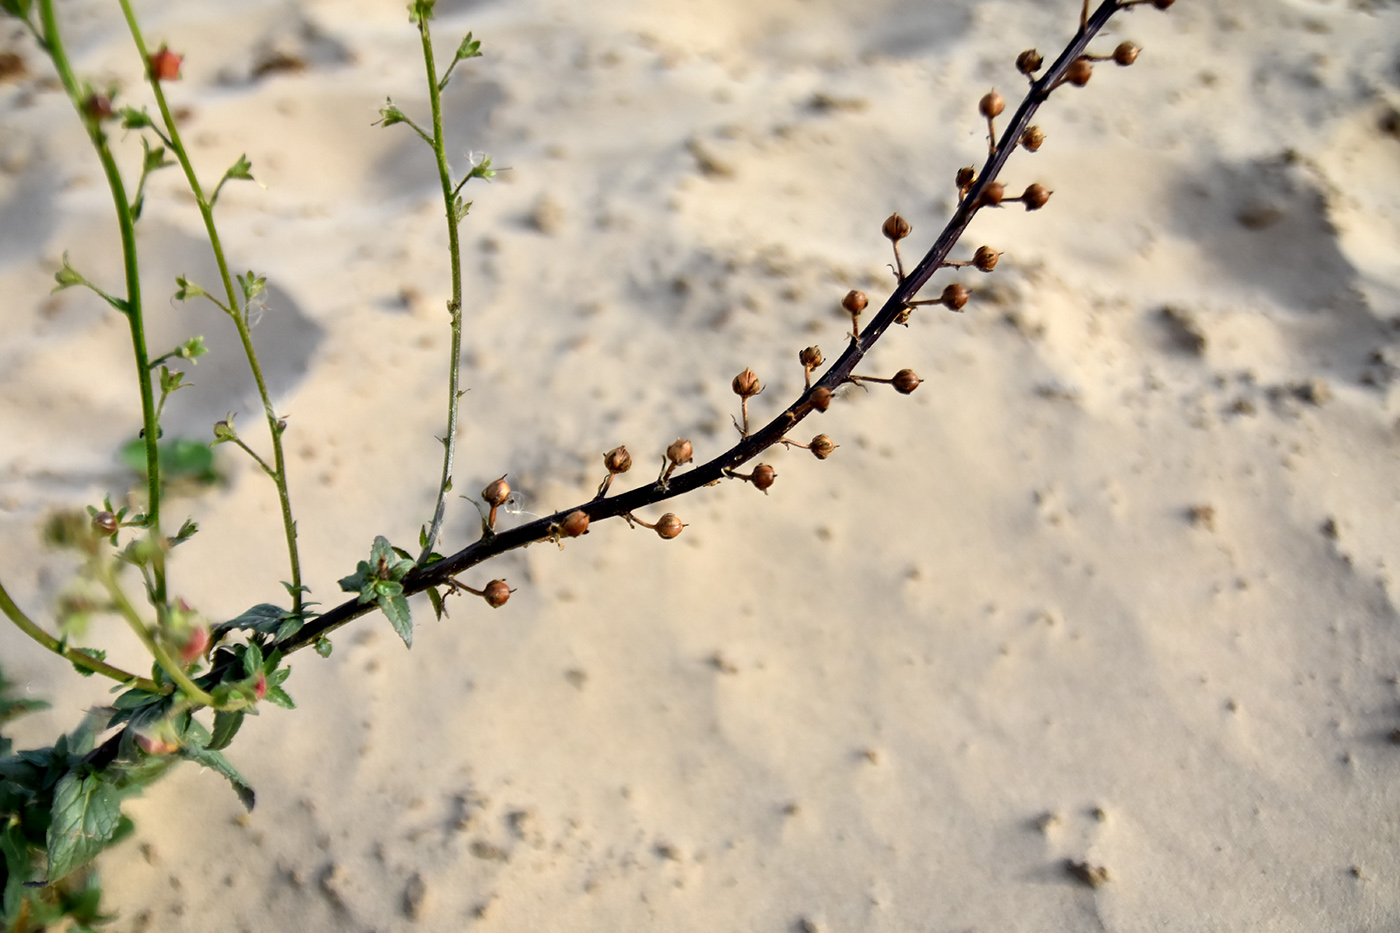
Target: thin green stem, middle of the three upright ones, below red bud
275 427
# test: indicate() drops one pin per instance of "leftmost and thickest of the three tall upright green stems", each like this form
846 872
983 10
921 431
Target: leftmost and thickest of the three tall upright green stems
135 319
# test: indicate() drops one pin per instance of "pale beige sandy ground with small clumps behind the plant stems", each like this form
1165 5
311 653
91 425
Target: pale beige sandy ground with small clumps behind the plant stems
1114 586
